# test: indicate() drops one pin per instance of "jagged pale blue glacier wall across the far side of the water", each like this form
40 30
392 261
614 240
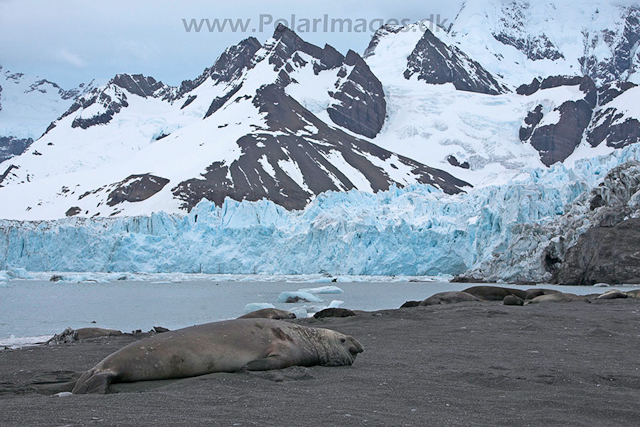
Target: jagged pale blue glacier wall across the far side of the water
412 231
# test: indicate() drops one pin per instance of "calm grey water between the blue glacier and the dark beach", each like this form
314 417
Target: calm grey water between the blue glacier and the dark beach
34 308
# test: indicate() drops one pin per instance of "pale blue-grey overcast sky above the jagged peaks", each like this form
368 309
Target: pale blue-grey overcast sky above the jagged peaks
74 41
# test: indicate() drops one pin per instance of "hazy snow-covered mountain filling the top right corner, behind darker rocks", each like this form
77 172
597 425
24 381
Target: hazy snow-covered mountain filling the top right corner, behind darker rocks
519 40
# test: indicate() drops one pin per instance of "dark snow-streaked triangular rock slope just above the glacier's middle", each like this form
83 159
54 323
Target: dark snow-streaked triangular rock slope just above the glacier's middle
259 172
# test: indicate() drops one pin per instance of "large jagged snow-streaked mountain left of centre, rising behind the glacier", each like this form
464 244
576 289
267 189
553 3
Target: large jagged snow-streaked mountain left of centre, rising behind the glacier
285 121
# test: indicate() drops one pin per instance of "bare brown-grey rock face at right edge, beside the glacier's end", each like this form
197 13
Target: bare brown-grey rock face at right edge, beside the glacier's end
604 255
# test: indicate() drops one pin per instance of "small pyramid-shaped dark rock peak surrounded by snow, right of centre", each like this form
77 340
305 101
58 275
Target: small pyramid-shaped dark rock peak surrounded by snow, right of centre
436 63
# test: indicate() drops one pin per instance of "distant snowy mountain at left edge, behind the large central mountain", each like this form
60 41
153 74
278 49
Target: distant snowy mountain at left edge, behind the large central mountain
28 104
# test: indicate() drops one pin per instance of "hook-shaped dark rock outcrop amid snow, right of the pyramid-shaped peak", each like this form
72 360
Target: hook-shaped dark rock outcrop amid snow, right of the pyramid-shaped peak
557 141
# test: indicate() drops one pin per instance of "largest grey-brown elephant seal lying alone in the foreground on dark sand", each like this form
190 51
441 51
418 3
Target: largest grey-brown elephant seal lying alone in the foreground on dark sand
228 346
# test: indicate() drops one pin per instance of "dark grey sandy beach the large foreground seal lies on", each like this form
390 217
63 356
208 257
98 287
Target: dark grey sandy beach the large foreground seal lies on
570 364
